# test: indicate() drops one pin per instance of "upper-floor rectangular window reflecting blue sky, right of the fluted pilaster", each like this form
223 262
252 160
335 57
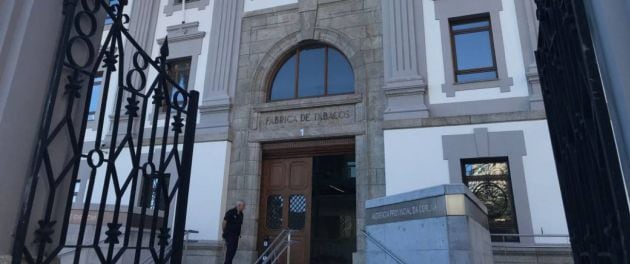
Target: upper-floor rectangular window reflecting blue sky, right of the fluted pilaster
473 49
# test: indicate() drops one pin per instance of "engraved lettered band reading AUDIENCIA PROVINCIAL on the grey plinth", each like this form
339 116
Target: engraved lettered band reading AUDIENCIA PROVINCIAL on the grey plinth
405 211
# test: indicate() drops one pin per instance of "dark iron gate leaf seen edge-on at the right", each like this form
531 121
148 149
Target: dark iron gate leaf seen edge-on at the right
588 167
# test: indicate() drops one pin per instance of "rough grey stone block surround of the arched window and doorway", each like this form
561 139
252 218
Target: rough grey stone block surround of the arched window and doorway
353 27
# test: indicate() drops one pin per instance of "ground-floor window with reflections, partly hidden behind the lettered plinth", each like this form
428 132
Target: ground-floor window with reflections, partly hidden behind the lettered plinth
489 180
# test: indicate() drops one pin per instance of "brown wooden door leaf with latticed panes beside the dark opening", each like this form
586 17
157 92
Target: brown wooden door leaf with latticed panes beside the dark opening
286 201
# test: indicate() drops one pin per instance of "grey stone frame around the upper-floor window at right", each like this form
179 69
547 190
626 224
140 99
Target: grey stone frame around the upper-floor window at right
446 10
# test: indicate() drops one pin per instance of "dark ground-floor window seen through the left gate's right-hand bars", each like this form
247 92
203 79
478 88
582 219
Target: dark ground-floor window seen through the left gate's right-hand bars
153 195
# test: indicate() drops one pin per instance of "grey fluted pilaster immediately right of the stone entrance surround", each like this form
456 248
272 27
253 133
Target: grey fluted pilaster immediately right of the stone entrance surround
404 59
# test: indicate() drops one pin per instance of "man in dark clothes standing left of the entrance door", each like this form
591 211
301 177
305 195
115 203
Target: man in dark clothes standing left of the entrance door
232 223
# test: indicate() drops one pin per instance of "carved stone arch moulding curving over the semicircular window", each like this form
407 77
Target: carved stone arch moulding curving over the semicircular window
264 70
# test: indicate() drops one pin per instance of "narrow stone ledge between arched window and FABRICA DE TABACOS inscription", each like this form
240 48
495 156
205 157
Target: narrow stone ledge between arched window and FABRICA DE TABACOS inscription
309 103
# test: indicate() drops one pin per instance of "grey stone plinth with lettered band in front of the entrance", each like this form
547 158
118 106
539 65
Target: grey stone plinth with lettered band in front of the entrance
443 224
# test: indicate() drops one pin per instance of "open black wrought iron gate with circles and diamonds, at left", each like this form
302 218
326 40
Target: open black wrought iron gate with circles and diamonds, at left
149 143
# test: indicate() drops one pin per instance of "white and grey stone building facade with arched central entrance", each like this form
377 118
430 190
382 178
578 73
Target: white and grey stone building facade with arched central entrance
407 123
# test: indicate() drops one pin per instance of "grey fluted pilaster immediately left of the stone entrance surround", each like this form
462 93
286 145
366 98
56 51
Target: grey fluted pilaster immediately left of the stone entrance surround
222 69
